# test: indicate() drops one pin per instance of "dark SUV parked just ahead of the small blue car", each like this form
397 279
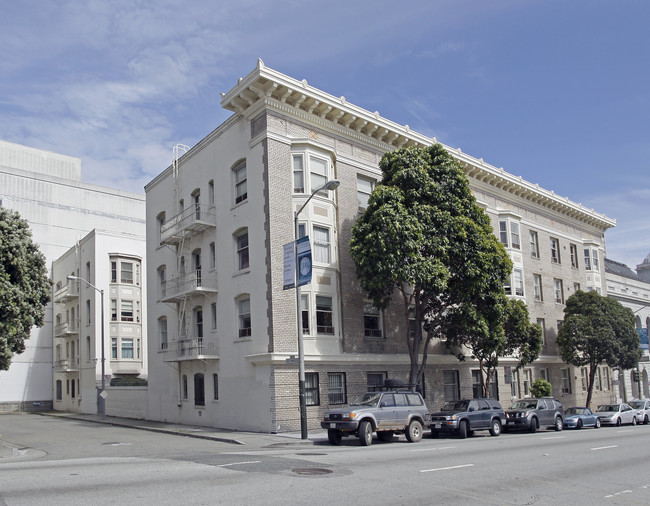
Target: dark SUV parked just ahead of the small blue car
532 414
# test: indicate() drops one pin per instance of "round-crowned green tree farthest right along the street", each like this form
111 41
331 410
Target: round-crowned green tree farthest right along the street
598 329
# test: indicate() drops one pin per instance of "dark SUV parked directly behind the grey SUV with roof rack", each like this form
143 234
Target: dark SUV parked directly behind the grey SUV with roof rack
464 416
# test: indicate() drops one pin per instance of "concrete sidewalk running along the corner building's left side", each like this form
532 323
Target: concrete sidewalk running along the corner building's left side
234 437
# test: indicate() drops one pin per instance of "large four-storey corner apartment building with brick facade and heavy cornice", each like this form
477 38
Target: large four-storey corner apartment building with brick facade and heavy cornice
223 331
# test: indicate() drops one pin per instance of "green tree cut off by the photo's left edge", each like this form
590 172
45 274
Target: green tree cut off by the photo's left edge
24 285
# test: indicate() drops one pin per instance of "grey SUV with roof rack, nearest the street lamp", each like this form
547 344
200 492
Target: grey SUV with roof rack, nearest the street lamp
384 412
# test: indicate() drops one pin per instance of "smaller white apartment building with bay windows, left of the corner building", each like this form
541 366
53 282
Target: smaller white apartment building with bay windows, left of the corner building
103 267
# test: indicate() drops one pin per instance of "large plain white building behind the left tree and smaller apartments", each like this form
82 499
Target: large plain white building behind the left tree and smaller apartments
46 189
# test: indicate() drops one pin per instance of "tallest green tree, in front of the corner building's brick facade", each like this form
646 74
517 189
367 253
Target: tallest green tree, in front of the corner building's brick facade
424 237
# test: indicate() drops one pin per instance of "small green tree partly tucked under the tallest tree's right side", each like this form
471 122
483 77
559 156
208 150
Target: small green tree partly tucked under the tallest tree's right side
494 326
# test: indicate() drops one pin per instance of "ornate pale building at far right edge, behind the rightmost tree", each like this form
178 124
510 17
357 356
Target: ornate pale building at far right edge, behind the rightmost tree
632 289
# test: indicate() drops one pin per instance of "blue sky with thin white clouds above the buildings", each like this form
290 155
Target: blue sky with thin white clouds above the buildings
554 91
